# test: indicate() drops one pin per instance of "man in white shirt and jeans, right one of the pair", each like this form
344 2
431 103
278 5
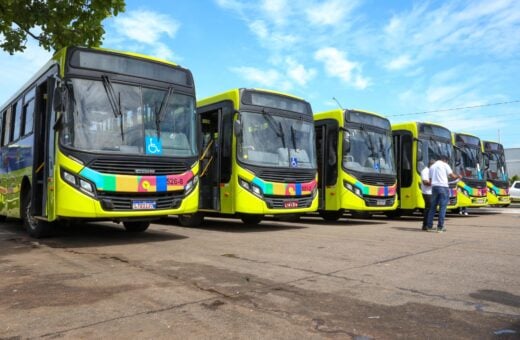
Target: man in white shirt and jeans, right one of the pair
439 173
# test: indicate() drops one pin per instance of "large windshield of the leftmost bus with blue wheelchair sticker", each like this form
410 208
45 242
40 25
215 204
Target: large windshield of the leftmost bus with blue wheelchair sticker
129 119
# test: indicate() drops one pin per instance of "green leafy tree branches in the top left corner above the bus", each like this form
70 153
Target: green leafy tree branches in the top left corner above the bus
54 23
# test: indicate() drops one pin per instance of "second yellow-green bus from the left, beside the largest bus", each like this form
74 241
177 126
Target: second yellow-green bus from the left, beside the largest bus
258 156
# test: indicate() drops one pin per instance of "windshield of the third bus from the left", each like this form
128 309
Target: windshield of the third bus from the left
368 151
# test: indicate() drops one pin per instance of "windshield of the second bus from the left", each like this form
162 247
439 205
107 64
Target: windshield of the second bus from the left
274 141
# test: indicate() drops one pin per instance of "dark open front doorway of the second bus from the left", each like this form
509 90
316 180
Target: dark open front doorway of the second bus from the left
210 160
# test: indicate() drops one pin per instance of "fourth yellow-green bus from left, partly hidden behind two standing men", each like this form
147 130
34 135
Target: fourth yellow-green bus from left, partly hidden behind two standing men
415 144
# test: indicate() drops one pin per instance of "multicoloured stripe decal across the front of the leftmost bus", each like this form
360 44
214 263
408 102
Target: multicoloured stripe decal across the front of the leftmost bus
126 183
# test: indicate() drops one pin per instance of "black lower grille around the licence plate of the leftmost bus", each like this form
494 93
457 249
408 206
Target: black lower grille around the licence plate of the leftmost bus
123 201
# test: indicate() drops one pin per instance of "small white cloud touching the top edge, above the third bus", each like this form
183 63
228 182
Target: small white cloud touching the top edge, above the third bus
330 12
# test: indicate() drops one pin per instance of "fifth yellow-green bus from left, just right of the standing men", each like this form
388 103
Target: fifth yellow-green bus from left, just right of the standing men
469 163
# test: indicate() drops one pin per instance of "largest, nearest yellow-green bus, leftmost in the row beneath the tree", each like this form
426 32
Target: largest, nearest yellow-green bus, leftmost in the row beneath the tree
99 135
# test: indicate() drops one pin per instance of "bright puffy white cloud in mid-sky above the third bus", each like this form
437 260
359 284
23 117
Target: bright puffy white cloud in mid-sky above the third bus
337 65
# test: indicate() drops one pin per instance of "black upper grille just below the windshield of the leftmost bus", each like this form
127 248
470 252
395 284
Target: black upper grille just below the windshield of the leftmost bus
132 167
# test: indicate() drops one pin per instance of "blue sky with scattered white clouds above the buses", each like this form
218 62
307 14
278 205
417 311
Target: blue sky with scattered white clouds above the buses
390 57
